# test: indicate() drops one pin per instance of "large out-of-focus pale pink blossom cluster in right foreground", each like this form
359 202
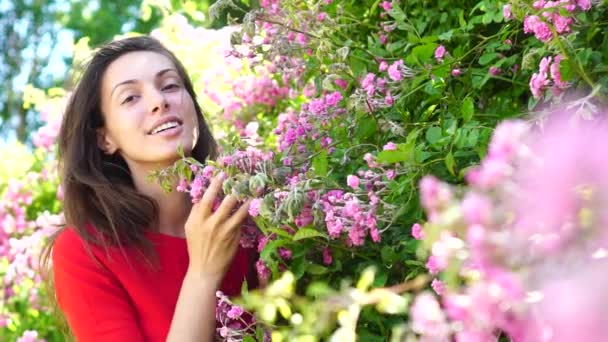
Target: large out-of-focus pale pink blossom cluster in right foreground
527 236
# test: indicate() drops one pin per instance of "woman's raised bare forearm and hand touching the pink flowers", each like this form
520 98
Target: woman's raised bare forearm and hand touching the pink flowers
213 239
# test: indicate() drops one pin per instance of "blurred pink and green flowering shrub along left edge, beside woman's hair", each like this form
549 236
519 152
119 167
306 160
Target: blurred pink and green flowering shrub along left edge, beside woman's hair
29 213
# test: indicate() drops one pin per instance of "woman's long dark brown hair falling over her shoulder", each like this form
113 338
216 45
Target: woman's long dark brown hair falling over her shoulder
98 188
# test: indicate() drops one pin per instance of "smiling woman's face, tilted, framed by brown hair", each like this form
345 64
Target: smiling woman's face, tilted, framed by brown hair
147 110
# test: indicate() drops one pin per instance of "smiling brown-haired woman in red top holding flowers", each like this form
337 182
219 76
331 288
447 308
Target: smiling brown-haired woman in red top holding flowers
135 263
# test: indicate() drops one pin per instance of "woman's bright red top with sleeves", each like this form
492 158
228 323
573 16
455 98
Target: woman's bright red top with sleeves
114 300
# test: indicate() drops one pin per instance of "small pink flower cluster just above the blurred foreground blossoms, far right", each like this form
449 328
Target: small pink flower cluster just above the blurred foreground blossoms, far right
548 75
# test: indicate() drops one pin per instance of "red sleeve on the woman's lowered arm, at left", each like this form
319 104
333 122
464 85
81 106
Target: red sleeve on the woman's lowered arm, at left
96 306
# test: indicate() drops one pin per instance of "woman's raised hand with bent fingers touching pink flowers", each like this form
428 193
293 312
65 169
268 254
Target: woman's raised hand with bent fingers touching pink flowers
213 237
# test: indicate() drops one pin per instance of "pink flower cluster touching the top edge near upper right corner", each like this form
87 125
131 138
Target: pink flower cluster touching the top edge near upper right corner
551 14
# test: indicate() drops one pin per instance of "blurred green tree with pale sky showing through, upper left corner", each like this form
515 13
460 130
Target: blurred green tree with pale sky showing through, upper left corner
29 36
